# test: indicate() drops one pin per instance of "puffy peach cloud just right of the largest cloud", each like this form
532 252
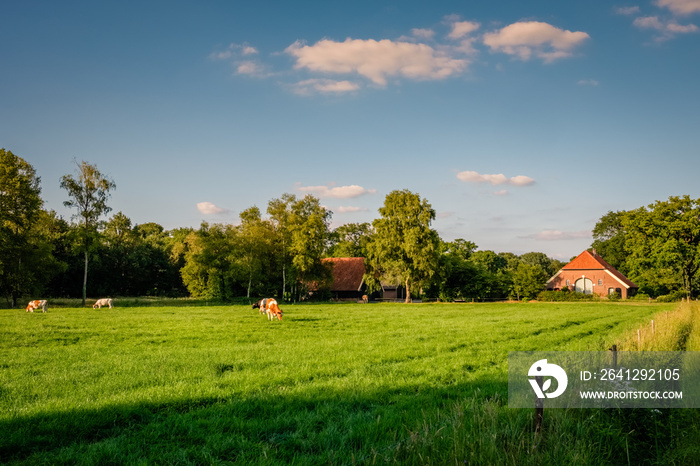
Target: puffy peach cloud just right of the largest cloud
533 38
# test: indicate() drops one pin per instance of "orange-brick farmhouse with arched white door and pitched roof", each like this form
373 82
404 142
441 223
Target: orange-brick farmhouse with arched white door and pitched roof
589 273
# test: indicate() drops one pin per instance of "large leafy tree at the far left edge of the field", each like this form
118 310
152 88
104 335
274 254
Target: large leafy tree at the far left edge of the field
24 250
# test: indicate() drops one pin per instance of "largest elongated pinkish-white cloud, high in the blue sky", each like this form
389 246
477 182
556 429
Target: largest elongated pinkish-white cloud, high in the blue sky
376 60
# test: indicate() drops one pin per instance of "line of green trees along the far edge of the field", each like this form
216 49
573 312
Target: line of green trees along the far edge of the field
279 252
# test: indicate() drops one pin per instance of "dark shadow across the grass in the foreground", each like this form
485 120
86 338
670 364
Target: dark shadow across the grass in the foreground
467 423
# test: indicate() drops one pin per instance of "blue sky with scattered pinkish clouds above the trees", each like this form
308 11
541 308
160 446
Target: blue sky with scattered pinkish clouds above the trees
522 123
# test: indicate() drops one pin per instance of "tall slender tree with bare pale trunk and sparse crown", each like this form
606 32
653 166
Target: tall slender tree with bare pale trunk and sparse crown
88 193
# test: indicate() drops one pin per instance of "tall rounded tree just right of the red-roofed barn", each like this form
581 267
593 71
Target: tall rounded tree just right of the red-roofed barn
404 249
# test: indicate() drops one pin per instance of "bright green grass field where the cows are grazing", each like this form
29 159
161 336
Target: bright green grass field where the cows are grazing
330 384
